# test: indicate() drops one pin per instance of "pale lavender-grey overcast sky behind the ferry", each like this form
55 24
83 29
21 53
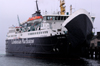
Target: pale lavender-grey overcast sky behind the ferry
9 9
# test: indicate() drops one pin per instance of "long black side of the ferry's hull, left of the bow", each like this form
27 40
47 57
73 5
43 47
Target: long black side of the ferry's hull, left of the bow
44 46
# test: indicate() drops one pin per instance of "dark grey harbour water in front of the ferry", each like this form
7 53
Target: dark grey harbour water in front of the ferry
18 61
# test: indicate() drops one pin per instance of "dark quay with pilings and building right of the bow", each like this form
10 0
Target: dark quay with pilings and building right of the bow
93 51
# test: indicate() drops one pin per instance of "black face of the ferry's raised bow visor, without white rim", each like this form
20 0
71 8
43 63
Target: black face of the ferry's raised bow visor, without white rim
80 30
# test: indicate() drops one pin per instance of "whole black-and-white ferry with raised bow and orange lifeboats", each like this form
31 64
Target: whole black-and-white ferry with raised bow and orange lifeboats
47 35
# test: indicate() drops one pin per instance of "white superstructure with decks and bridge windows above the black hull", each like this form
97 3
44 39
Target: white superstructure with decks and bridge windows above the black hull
51 25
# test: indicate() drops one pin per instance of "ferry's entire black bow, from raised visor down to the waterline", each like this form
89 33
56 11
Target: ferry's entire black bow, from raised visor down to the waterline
79 34
